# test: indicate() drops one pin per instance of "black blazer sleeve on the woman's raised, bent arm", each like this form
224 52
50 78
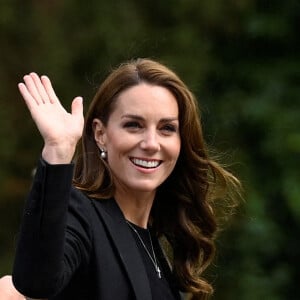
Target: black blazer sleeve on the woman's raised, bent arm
54 237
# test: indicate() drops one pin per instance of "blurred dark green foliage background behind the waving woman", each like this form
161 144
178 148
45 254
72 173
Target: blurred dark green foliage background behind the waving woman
241 59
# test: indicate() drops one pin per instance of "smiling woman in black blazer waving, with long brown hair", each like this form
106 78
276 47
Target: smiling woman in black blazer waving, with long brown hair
142 179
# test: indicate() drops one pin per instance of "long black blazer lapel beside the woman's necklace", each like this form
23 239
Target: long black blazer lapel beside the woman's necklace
112 216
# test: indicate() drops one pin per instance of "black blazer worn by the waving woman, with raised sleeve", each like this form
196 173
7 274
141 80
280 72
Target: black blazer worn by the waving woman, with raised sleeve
74 247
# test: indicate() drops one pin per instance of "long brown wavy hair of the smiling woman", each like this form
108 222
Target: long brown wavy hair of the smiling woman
183 211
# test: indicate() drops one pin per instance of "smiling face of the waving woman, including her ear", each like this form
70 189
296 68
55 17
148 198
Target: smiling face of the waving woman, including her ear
142 138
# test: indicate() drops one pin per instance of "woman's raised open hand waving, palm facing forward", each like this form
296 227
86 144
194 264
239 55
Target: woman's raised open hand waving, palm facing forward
60 130
